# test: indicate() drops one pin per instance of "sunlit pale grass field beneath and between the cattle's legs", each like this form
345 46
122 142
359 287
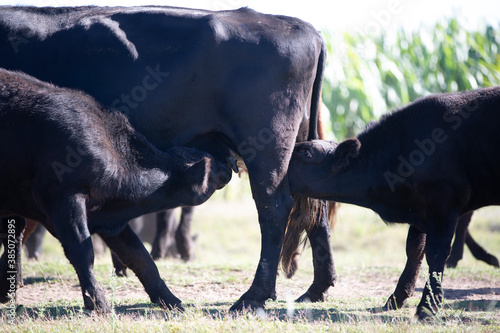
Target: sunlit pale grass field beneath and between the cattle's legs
369 257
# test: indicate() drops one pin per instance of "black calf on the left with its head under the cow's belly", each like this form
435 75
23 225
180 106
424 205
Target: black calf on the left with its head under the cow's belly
78 170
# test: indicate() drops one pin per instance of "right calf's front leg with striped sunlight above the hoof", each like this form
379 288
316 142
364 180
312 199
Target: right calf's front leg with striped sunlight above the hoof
437 249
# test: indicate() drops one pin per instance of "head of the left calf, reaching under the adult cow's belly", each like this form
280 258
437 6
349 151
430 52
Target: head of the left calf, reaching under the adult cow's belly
195 176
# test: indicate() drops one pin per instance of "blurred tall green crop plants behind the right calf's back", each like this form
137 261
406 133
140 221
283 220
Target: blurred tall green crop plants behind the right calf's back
368 75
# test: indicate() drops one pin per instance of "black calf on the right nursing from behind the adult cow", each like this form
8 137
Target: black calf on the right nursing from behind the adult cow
426 164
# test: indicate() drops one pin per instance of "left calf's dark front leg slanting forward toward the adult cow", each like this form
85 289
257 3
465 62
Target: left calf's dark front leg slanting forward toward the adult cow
132 253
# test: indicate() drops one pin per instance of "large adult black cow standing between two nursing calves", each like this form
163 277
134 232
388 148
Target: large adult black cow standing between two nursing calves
237 81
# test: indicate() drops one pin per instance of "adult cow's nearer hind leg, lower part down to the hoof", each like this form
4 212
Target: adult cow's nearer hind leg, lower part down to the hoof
273 215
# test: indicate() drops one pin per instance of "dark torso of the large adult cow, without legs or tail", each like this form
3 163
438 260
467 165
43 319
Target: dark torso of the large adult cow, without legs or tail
174 72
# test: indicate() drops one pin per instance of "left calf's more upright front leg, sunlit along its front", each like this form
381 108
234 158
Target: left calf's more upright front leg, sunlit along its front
69 218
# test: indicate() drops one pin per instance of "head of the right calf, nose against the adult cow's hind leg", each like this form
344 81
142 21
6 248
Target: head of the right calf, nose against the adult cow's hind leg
321 169
